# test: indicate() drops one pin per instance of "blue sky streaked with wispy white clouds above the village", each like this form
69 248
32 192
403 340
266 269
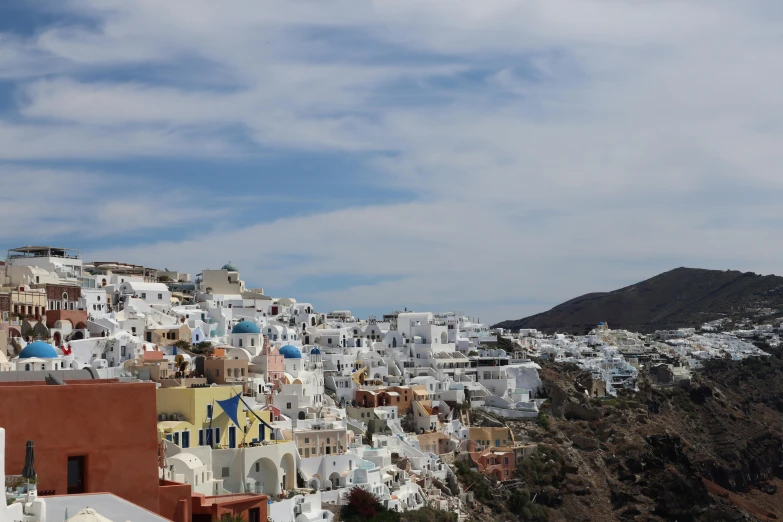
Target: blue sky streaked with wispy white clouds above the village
494 158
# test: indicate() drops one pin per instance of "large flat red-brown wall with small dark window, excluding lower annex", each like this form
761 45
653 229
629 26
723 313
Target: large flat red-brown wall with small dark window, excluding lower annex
113 424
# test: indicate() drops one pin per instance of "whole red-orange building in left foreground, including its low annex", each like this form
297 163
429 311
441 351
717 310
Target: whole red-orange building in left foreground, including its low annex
100 436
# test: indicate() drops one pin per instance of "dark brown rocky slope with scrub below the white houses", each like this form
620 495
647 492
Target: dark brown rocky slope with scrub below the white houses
711 452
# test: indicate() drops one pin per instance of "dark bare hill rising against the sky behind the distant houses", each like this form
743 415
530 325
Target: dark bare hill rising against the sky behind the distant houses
682 297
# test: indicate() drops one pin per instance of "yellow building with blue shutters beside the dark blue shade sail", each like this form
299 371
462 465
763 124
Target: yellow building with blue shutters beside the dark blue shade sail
192 417
